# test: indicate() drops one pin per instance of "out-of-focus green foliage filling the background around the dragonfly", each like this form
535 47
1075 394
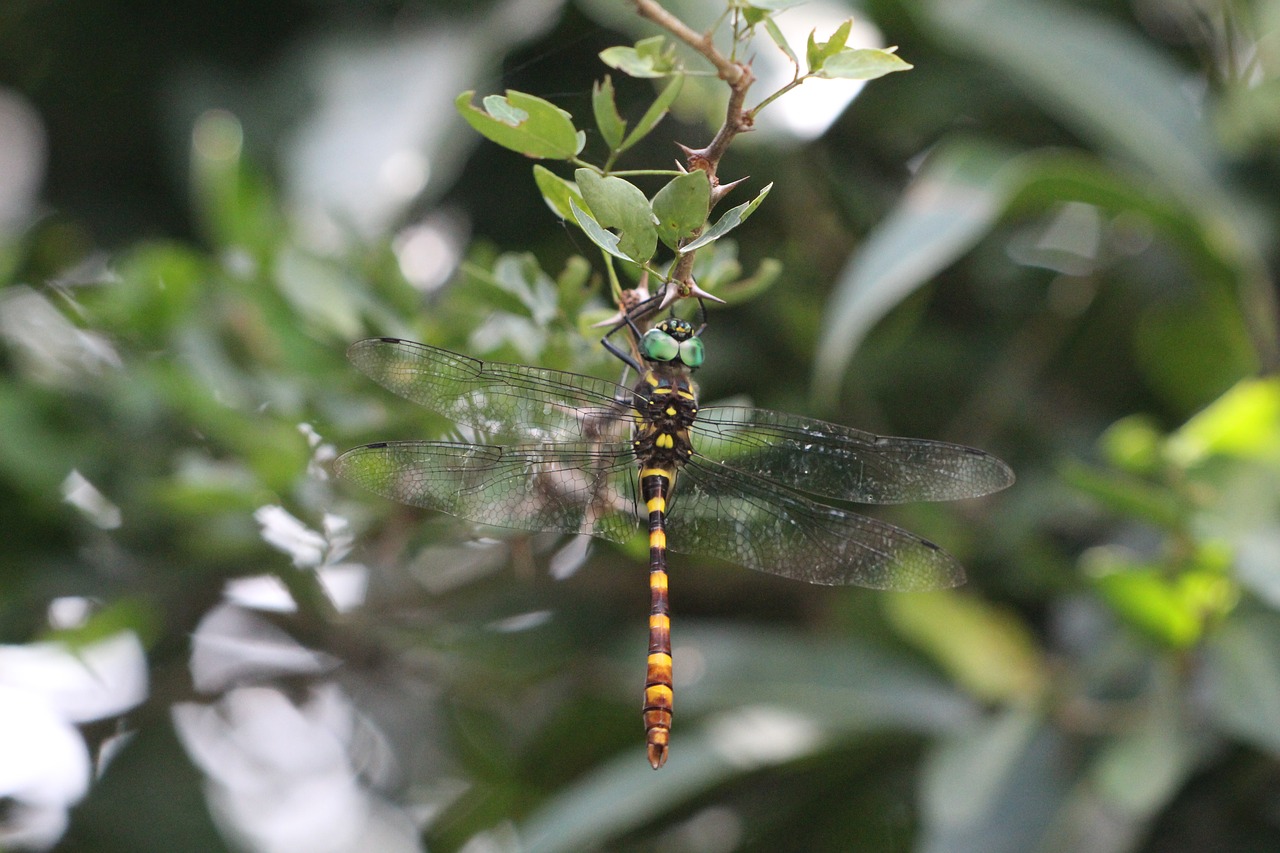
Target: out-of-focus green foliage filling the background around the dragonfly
1077 273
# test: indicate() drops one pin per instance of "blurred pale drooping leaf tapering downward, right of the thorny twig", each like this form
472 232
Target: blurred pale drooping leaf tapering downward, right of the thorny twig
953 202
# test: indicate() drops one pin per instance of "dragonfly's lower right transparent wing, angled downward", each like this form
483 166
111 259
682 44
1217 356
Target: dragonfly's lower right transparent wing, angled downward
721 513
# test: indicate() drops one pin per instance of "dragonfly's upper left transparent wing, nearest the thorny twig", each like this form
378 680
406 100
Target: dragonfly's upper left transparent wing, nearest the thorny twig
504 400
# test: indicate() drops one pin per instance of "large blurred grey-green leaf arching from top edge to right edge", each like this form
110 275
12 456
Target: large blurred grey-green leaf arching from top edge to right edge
1131 99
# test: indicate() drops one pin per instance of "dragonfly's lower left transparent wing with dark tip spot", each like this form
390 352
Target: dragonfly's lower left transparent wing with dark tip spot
575 487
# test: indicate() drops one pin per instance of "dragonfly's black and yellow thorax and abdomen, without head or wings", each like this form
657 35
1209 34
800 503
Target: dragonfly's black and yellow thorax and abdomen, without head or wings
666 408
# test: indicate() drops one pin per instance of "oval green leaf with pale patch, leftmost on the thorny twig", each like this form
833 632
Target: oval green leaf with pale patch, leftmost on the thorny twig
524 124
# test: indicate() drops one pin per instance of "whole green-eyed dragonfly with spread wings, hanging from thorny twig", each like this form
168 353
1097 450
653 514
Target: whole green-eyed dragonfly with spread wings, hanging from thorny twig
557 451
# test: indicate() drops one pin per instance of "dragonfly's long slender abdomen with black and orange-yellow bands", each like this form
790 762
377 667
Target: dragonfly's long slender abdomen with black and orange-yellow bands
655 487
